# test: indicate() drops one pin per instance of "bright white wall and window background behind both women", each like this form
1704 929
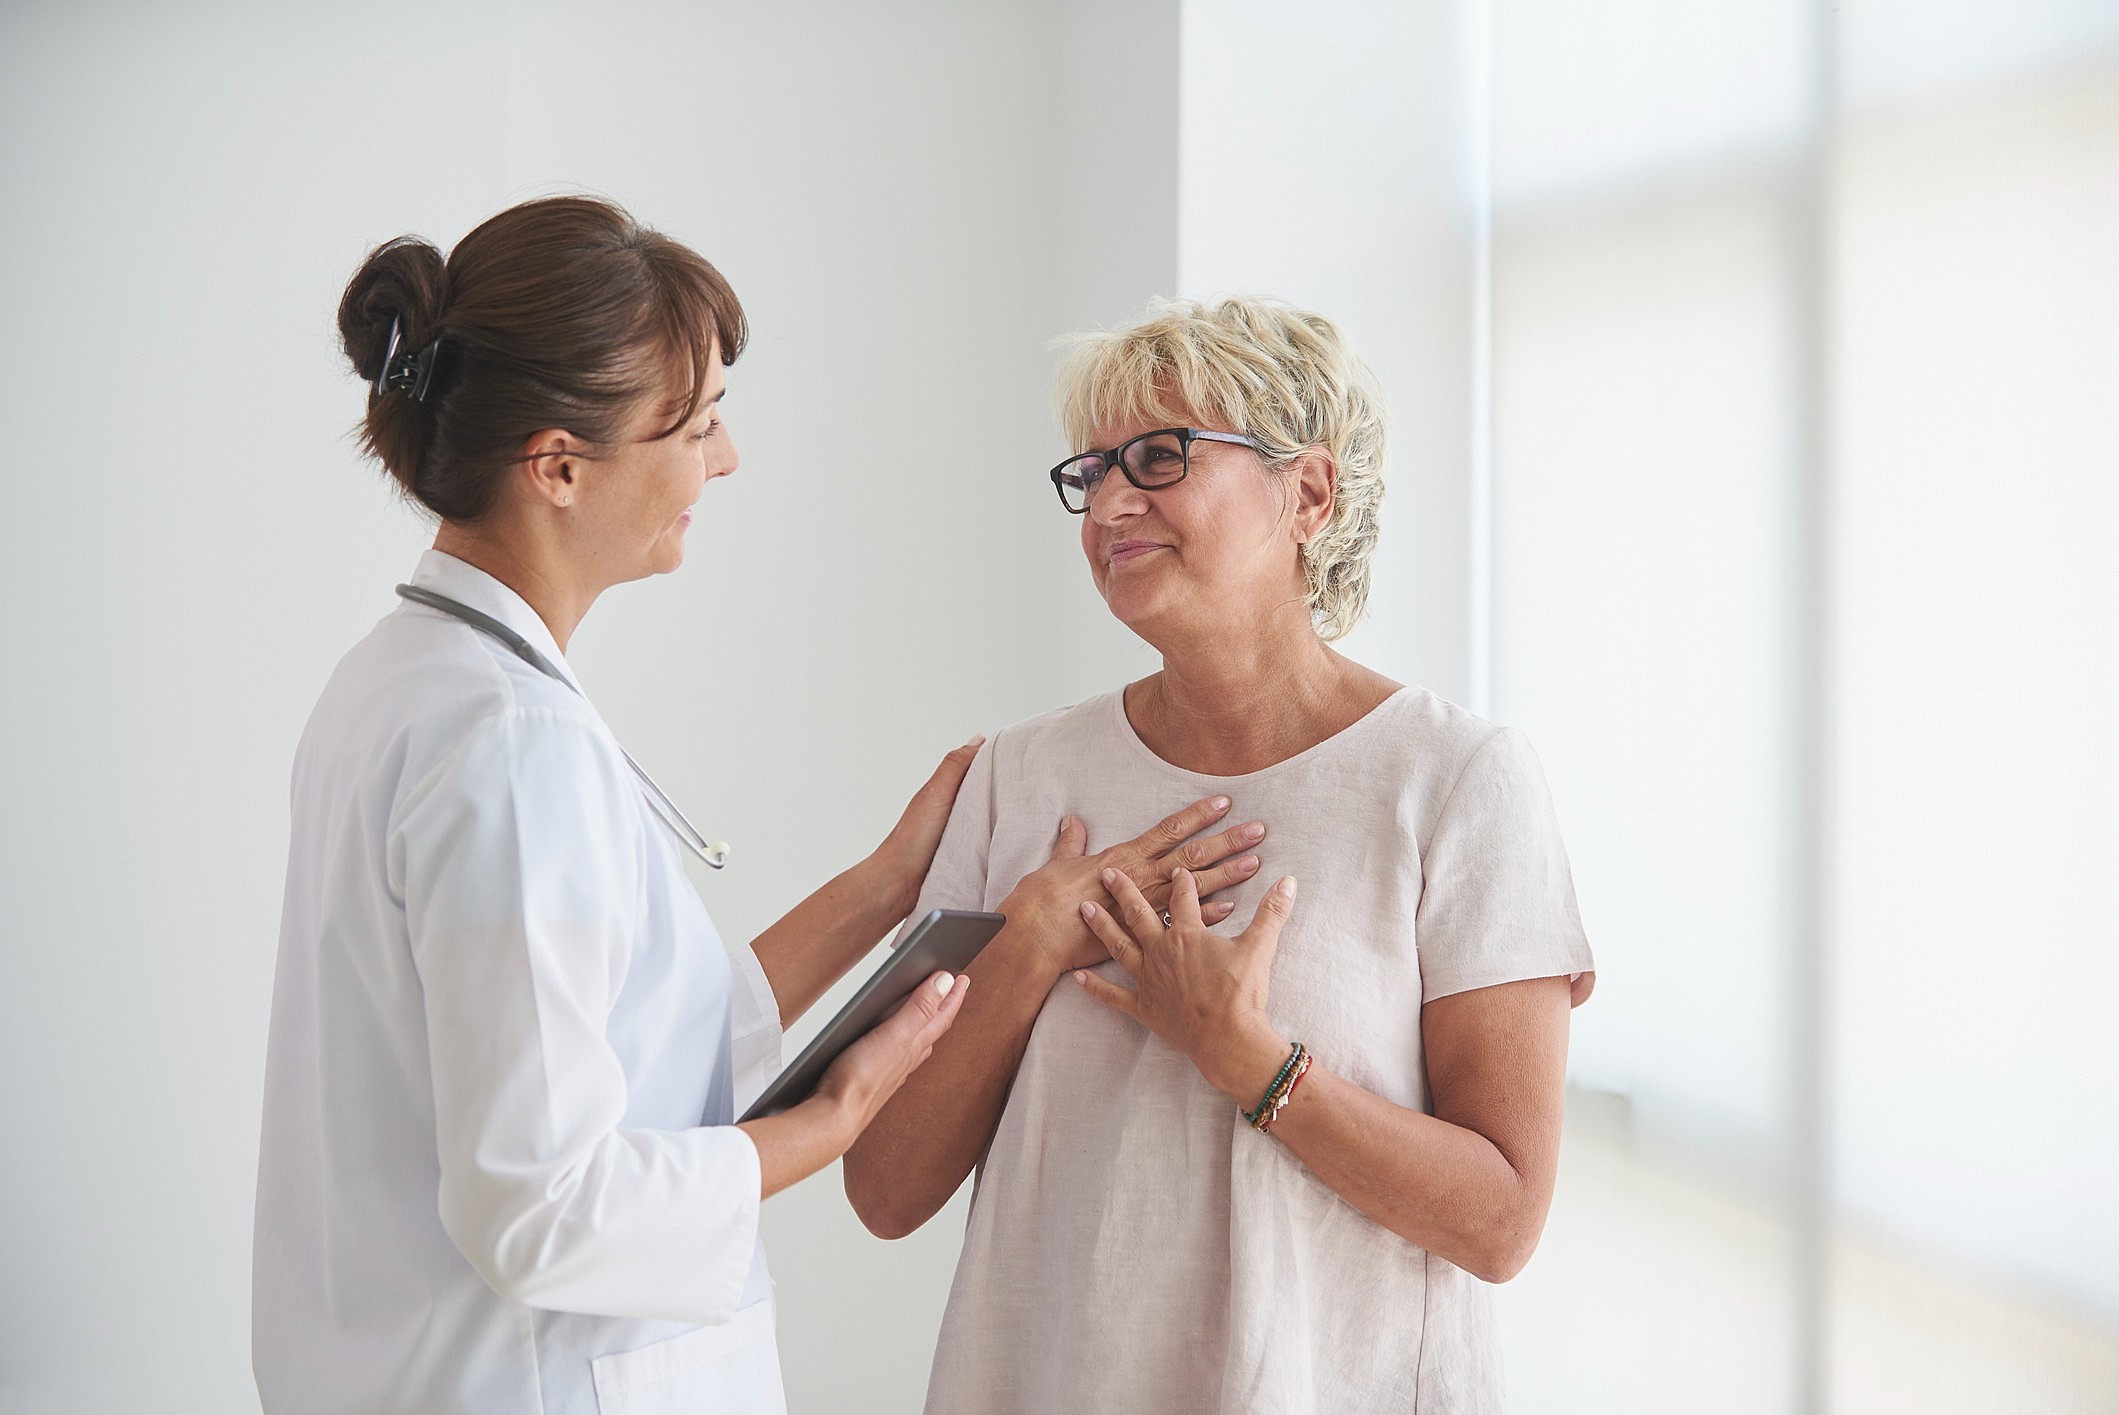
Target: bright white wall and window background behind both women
1753 370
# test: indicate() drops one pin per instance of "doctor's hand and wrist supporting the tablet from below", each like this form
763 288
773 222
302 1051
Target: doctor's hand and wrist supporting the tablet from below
802 1141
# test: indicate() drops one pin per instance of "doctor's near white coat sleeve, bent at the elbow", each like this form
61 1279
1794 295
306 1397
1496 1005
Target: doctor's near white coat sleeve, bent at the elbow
524 891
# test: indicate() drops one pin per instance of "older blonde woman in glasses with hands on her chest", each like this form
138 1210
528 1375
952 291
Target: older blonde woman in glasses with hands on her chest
1262 1168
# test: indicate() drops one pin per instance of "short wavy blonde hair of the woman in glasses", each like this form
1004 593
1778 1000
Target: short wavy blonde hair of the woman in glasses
1281 376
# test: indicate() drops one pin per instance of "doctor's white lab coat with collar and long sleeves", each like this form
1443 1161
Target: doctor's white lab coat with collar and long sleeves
499 1168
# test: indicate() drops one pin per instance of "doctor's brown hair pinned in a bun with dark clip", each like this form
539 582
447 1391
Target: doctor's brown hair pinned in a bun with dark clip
552 315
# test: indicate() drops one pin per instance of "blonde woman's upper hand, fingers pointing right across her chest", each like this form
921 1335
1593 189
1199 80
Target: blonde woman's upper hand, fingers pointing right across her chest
1044 908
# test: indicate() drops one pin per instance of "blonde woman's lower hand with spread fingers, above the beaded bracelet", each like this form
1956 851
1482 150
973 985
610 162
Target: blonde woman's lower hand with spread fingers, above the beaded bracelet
1200 992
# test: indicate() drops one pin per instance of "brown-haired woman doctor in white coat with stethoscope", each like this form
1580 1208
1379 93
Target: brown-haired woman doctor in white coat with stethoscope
499 1164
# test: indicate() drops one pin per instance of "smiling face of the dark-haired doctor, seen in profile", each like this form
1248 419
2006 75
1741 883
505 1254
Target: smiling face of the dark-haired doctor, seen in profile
635 503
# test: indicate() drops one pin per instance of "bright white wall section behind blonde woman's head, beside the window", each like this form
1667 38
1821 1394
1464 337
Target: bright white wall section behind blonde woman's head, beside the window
1325 162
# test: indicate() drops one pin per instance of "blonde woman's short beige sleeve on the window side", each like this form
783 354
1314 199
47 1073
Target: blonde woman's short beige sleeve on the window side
1497 897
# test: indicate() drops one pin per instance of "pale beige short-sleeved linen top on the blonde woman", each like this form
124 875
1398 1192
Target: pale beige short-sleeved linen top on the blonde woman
1133 1244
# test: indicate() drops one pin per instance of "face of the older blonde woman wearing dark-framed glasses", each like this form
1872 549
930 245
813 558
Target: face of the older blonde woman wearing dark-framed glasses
1194 560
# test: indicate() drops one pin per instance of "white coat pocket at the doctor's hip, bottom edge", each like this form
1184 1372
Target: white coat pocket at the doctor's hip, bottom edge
730 1367
